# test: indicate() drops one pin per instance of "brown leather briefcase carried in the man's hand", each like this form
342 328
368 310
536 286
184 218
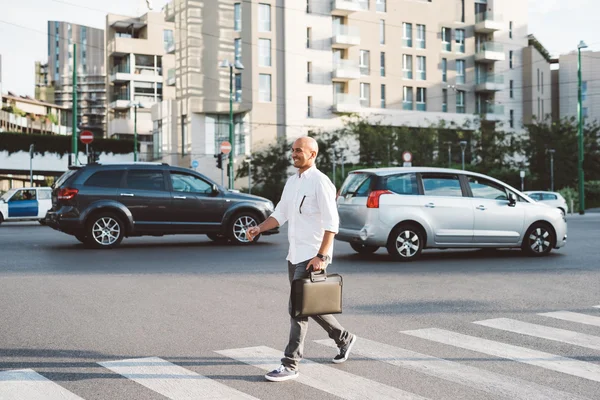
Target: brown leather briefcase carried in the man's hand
319 294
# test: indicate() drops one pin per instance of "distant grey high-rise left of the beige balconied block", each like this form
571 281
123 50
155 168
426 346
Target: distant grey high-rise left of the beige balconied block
90 71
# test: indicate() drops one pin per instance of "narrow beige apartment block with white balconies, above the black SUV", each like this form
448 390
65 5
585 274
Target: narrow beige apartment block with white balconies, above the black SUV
138 51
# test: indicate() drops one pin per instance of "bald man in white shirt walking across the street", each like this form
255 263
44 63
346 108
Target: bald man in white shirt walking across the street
308 204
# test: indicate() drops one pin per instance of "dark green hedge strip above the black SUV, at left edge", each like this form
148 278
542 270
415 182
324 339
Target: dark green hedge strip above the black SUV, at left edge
59 144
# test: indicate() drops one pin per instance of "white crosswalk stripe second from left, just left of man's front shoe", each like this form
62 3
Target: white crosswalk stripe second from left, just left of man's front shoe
172 381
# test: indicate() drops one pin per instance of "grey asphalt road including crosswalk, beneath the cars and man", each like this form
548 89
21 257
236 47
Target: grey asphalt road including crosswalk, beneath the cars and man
189 302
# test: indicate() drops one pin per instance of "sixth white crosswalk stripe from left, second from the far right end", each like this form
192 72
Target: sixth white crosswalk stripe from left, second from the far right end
544 332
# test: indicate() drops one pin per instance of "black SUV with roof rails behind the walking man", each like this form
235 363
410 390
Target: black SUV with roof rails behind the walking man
101 204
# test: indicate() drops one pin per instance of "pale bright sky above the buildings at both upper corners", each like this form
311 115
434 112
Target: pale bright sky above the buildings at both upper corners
558 24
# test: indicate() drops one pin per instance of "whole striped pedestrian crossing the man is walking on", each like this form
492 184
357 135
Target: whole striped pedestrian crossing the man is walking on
342 381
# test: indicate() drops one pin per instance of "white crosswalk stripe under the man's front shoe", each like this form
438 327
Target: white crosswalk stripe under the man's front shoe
327 379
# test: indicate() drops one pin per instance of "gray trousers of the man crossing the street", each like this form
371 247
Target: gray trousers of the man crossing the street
299 326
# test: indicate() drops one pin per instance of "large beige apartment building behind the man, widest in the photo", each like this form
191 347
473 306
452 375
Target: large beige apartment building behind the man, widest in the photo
307 65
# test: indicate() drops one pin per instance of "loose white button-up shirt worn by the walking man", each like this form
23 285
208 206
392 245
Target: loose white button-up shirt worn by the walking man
308 204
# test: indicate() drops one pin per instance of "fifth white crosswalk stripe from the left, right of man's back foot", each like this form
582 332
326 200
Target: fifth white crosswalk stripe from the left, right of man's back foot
524 355
